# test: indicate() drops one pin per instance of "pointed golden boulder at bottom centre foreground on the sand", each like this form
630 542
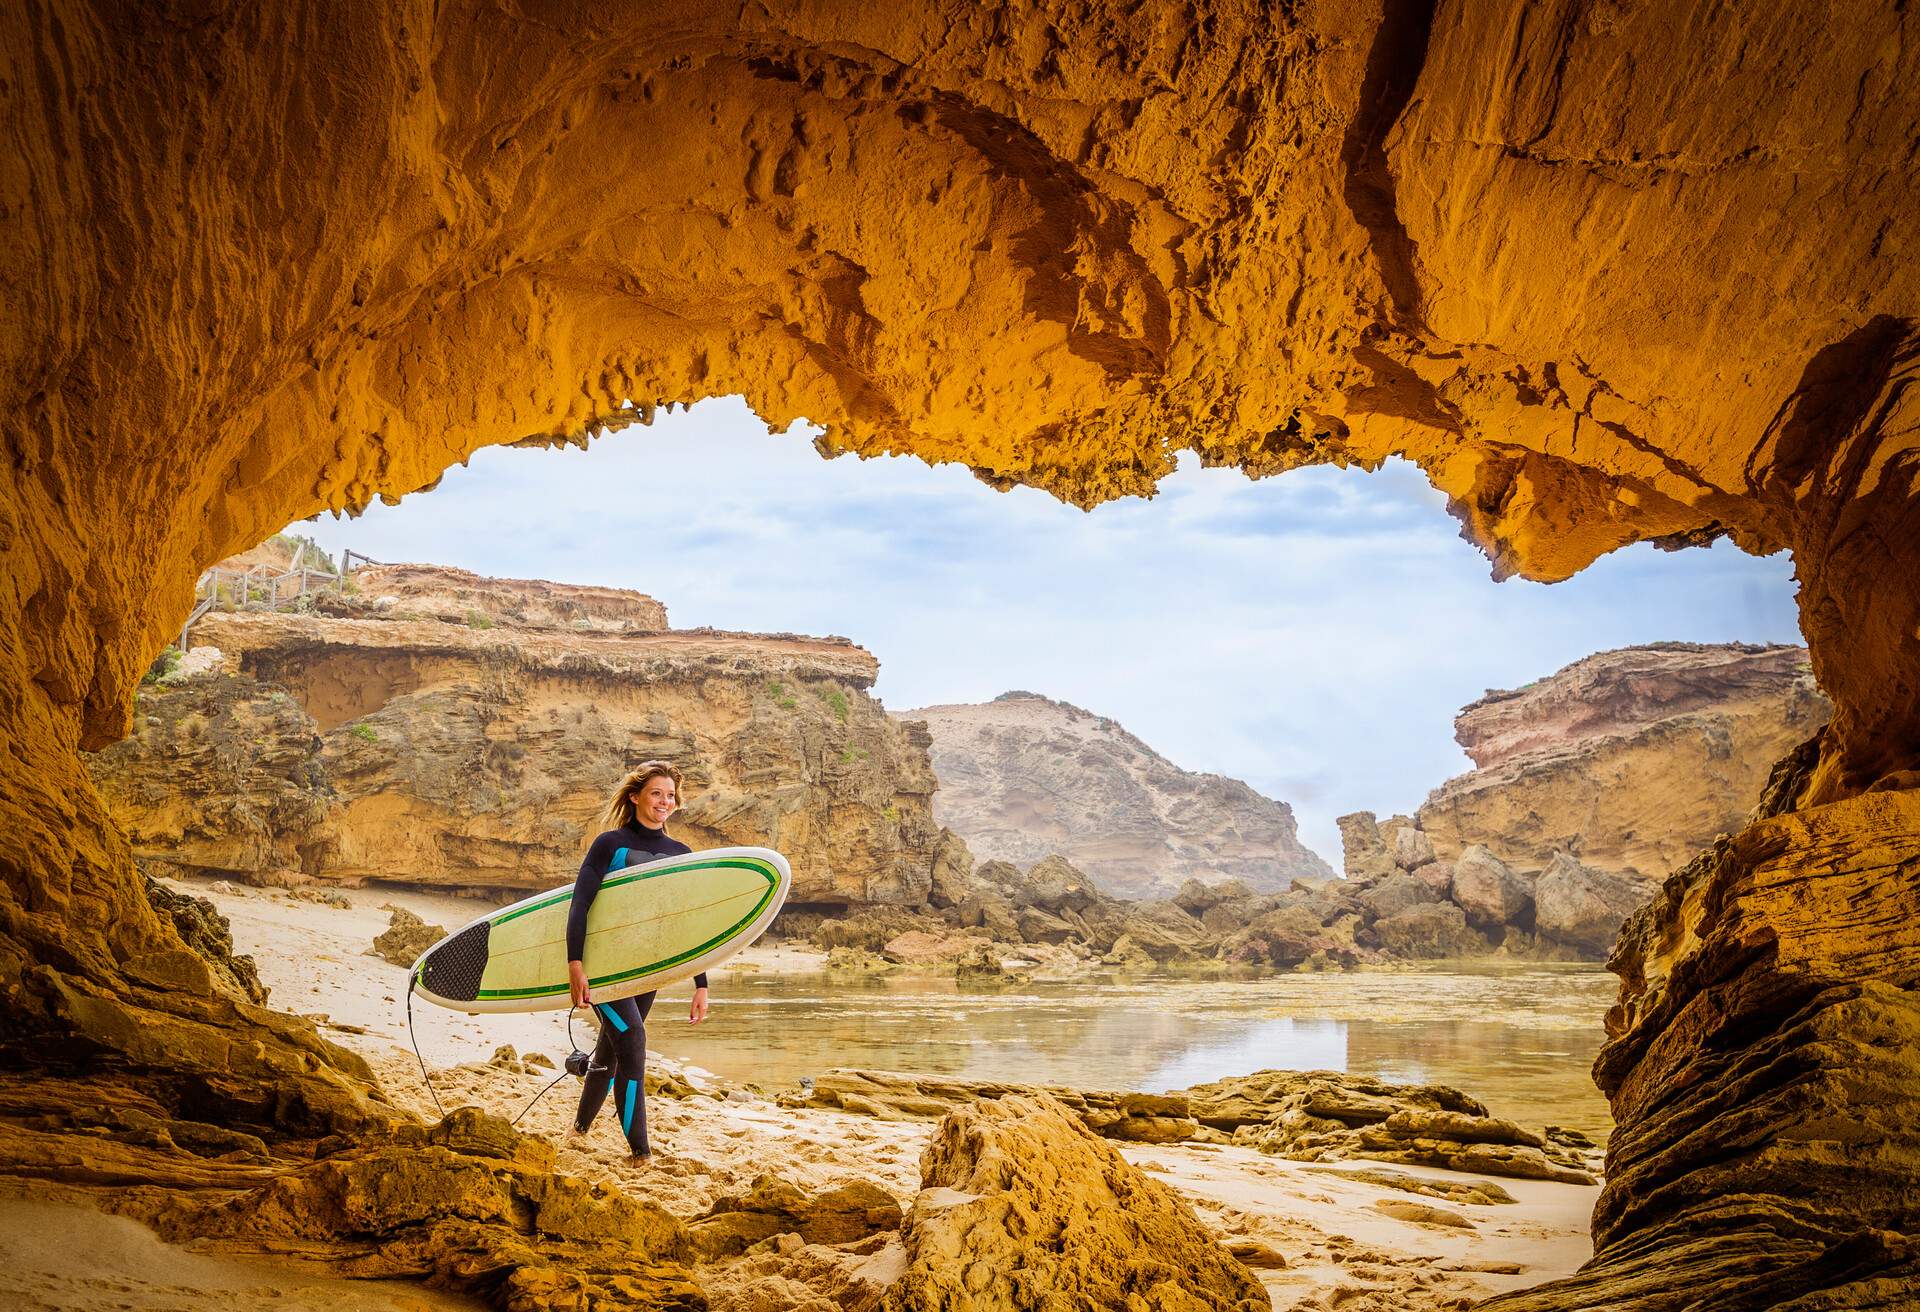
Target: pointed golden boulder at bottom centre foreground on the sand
1024 1209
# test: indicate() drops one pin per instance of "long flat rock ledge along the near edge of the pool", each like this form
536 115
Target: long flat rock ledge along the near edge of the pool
1312 1117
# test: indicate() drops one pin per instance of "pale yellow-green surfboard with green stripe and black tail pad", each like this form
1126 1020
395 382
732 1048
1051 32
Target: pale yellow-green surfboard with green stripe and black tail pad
650 927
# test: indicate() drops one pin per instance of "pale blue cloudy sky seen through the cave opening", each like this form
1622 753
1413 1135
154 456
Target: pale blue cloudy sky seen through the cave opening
1312 635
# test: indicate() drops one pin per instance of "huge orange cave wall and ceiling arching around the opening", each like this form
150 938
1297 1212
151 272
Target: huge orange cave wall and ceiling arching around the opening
1606 274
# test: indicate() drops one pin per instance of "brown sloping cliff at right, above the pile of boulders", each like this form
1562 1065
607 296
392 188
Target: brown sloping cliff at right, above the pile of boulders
1631 762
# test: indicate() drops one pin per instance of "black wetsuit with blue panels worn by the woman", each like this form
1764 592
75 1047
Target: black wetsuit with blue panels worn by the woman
621 1056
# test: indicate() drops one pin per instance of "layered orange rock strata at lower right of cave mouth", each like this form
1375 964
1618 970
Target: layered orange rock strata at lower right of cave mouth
1762 1071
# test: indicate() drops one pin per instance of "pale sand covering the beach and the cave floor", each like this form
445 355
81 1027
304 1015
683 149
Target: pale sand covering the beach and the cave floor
1335 1242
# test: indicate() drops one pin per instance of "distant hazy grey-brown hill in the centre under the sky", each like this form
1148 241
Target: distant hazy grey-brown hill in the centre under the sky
1024 777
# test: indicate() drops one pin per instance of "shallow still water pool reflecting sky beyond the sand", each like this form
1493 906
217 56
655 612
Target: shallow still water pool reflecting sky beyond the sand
1522 1040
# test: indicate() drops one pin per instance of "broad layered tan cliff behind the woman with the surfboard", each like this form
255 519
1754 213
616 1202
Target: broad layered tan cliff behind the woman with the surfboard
481 752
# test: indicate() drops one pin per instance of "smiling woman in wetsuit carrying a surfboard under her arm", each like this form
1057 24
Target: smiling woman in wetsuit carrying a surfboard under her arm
638 815
